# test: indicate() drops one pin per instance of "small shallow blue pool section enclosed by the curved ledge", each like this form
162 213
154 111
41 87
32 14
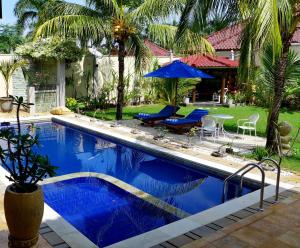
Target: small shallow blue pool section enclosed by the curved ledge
112 214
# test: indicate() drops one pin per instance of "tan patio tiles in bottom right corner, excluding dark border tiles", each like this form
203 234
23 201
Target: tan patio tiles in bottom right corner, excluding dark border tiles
278 226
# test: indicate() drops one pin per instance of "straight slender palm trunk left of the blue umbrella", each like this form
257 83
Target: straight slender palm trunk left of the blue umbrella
120 88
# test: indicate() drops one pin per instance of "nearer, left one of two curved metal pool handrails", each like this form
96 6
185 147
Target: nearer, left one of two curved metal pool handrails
245 169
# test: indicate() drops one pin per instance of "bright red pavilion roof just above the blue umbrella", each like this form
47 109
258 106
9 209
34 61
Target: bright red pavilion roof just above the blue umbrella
205 61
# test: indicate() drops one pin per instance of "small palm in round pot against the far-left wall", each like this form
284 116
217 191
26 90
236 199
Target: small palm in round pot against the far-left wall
7 68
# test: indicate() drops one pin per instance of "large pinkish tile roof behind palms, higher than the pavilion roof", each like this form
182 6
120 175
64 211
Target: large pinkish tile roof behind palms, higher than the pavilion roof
229 38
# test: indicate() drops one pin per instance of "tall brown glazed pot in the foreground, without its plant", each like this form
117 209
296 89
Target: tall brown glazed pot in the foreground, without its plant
23 213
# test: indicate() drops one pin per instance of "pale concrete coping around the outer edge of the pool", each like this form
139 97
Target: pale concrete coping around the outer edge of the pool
75 239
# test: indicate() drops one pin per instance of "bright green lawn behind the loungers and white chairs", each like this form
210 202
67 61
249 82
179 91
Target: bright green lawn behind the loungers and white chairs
293 117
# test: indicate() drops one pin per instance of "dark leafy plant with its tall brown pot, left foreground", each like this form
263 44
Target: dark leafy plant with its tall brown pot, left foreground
23 199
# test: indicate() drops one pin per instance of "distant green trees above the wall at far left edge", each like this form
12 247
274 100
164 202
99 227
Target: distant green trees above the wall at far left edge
10 38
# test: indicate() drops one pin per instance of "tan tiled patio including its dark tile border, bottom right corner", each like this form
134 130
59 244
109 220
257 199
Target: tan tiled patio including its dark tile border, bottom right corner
276 227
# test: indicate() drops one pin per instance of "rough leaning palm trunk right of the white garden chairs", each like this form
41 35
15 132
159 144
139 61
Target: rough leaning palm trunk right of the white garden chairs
279 84
